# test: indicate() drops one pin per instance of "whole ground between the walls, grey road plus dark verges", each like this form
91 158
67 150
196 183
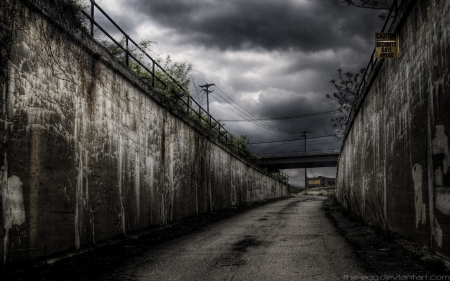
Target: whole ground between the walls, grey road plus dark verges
298 238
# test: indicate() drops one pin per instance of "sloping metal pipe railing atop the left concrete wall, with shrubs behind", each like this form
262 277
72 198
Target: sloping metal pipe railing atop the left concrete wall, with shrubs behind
179 99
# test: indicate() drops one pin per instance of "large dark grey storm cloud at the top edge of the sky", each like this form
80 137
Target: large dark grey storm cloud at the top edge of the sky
308 26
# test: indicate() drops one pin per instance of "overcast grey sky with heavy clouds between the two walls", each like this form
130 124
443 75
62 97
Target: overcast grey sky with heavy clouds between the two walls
273 58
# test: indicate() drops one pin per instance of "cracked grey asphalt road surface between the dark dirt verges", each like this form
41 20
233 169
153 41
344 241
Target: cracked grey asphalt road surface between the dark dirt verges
287 240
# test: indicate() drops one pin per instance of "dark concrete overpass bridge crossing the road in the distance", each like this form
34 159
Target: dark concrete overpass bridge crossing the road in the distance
309 160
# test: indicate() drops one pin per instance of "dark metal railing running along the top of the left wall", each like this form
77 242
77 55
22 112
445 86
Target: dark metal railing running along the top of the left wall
184 102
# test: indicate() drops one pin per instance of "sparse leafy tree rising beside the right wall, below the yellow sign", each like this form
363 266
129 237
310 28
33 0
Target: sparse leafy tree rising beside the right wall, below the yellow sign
345 95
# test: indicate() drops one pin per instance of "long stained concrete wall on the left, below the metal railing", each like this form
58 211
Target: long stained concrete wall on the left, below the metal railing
89 153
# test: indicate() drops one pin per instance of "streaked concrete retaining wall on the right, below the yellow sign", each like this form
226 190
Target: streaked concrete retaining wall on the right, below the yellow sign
394 166
